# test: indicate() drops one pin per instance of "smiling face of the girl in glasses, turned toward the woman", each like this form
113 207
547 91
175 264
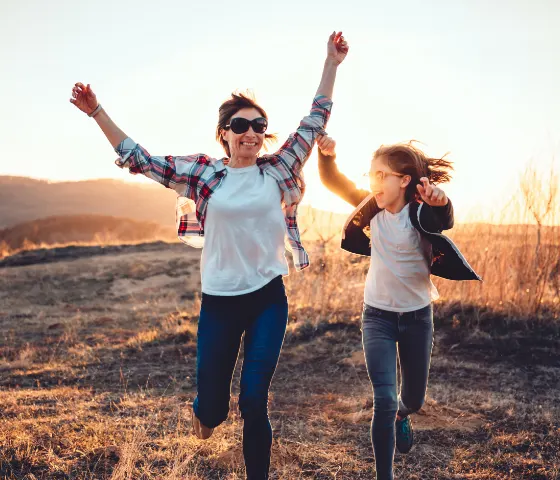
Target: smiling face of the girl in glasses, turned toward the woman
388 186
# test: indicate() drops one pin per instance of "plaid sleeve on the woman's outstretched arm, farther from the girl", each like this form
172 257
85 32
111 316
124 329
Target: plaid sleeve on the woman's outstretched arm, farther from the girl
178 173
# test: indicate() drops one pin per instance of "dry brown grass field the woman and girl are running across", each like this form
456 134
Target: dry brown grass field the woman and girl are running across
97 368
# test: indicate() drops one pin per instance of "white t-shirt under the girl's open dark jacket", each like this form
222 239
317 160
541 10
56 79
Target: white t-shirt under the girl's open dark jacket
398 279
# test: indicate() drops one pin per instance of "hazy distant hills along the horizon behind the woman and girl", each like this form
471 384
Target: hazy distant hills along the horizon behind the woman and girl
109 211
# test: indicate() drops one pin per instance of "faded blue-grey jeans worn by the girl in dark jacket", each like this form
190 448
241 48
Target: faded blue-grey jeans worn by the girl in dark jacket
381 332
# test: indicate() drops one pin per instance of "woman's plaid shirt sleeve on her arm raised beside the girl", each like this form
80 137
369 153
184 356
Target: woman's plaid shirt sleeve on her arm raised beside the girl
296 150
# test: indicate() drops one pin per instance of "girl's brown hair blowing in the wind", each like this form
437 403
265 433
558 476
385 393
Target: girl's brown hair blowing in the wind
408 159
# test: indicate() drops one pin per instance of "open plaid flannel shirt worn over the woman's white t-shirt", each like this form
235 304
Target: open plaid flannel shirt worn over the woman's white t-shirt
196 177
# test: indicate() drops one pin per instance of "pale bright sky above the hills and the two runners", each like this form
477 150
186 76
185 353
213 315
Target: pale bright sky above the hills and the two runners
477 79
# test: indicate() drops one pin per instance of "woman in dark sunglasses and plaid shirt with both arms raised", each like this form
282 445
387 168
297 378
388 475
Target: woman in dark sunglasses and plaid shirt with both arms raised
244 205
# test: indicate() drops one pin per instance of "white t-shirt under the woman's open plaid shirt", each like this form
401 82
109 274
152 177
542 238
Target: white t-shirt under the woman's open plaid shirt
244 233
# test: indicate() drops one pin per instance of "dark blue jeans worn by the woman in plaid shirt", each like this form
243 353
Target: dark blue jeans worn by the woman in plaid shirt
262 316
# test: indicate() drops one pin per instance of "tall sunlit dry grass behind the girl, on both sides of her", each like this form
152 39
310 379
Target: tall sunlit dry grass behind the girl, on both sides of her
517 253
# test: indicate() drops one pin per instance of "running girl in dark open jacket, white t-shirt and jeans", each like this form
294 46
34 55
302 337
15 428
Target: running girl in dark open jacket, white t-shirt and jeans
398 224
